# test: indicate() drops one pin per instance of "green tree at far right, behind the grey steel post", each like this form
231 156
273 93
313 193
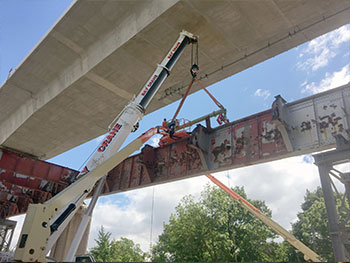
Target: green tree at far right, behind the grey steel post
311 227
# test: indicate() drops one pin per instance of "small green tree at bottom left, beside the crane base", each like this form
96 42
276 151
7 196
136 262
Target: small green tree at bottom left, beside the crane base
123 250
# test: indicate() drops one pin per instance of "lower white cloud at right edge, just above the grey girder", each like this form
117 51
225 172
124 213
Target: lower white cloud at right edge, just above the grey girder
330 81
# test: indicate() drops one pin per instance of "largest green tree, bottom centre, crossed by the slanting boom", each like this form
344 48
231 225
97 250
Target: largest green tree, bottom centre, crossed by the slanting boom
215 228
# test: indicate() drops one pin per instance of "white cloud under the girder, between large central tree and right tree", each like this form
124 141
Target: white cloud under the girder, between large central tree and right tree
282 185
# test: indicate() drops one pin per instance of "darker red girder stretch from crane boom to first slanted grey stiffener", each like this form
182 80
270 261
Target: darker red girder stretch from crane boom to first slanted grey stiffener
152 164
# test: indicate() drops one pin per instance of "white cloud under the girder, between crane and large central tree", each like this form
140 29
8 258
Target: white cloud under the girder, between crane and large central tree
134 220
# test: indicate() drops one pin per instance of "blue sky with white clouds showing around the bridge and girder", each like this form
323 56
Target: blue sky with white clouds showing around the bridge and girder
310 68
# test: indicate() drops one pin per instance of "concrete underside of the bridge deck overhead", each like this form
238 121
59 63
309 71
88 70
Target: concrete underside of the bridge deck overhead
100 53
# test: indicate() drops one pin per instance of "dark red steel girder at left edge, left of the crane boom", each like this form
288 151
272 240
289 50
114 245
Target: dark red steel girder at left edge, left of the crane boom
25 180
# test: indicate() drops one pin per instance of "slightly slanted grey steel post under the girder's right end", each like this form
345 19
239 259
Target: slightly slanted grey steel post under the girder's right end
333 220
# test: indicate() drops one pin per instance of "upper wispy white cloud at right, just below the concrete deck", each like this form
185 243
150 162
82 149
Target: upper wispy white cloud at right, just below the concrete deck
321 50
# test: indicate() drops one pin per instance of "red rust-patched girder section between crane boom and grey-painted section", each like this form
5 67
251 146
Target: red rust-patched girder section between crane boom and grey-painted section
247 141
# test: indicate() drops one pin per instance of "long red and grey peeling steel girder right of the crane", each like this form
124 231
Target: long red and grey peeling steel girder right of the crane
288 129
